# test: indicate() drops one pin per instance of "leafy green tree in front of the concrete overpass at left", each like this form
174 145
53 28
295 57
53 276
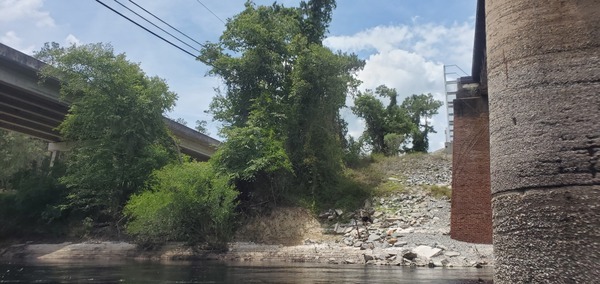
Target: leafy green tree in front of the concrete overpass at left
115 122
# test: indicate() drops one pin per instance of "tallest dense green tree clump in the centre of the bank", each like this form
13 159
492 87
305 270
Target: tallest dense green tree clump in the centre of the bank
284 89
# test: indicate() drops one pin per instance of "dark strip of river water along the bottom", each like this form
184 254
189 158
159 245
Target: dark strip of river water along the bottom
236 272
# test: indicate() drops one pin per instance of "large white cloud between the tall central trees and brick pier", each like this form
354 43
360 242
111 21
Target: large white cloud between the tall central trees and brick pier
410 59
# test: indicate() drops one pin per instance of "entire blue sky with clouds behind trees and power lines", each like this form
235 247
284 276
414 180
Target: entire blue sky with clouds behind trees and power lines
404 42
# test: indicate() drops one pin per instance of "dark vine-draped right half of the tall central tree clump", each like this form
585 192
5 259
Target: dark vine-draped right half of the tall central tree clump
321 80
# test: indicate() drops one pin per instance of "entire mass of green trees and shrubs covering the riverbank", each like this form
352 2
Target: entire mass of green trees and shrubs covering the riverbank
285 142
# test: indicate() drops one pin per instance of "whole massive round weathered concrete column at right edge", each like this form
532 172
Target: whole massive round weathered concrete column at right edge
544 93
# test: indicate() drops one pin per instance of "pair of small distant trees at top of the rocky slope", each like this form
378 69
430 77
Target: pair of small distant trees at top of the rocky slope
389 129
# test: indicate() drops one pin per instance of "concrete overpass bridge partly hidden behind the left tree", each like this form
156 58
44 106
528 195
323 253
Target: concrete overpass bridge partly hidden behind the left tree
34 108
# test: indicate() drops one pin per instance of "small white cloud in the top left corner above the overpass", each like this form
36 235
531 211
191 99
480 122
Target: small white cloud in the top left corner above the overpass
13 10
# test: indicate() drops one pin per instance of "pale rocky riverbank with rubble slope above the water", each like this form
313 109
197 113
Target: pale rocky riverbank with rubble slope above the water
407 224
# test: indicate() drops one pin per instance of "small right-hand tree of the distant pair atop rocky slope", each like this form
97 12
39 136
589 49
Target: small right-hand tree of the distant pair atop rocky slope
420 109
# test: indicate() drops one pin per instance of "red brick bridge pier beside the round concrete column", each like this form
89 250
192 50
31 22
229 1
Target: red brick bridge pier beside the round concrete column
471 213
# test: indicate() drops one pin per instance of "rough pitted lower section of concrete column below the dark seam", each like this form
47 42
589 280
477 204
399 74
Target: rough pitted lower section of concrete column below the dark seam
548 236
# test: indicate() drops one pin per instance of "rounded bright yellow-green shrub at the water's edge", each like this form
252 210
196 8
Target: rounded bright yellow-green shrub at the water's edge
185 202
